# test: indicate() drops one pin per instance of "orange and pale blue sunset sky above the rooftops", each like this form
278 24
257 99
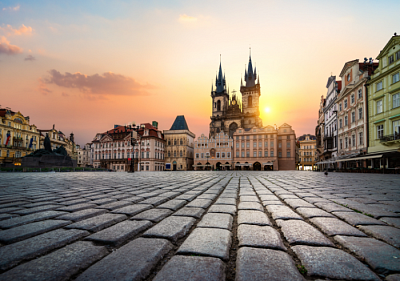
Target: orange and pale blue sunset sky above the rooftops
87 65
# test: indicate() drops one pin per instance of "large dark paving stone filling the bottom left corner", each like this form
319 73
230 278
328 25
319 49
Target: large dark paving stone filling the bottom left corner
59 265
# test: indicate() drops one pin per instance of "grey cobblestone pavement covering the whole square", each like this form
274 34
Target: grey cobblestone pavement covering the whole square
199 226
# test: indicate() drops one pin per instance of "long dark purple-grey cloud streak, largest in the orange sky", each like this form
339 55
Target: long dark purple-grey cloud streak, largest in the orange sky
106 84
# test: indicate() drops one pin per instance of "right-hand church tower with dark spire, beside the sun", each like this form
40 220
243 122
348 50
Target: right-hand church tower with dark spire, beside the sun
250 96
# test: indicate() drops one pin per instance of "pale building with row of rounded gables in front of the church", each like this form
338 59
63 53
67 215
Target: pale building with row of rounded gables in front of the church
215 153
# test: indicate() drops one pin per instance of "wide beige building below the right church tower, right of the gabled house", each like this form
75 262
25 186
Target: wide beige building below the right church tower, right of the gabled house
266 148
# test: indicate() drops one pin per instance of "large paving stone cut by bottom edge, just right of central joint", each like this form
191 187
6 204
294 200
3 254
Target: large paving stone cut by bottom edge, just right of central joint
265 264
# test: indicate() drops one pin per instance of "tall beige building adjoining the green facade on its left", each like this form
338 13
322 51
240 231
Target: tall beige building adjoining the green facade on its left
352 117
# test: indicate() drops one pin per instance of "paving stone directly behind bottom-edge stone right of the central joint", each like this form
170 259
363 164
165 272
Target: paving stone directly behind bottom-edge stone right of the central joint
259 237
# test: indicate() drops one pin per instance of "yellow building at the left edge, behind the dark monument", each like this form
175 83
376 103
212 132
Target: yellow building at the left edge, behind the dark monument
17 137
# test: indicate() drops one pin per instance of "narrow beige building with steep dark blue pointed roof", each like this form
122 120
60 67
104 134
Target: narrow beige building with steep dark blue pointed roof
179 147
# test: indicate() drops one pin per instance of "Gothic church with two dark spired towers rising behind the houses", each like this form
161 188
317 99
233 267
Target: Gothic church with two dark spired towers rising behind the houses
228 111
